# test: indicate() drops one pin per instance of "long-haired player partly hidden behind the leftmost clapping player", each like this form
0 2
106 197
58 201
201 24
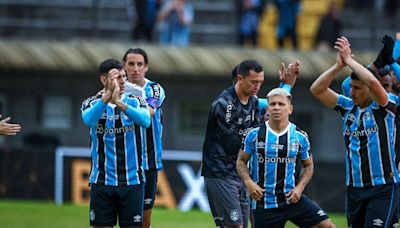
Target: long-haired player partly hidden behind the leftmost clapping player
136 65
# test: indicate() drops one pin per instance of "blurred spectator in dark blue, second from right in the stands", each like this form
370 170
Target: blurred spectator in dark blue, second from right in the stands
287 20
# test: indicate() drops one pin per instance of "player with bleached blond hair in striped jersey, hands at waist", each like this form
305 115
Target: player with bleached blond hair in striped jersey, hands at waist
274 185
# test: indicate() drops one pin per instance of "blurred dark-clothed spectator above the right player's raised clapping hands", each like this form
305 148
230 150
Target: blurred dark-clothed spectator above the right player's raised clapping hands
329 29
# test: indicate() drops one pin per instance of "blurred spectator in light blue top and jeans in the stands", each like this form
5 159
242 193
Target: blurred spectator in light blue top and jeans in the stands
175 19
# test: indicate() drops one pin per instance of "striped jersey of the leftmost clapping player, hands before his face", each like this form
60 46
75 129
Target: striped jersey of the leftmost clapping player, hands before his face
116 146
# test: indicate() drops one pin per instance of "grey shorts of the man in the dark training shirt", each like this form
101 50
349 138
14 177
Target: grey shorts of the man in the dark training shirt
229 201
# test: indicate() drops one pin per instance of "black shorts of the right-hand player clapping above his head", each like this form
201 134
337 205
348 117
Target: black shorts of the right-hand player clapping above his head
372 206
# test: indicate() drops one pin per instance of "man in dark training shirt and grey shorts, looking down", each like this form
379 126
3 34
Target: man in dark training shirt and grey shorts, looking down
233 113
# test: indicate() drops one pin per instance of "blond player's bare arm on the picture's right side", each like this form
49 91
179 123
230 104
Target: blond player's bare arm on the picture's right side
305 176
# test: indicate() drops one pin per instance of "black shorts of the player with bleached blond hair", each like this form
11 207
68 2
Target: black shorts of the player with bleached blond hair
305 213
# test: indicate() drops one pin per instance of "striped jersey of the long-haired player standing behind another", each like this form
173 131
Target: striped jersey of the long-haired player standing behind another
152 136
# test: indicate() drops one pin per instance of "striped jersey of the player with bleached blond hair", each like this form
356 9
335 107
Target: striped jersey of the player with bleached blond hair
273 164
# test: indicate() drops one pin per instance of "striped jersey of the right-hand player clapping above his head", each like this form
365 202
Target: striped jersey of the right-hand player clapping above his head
369 135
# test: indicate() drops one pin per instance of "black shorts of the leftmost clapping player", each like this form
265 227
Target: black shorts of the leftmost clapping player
109 202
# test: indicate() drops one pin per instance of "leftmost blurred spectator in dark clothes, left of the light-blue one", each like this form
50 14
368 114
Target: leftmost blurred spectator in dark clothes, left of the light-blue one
142 16
